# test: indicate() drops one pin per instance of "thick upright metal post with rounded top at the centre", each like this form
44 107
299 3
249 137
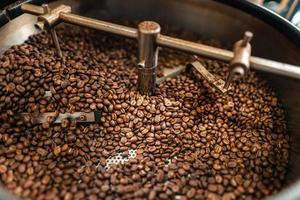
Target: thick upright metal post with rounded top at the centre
148 55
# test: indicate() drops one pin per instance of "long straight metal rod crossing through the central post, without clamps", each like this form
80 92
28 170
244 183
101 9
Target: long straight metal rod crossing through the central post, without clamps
175 43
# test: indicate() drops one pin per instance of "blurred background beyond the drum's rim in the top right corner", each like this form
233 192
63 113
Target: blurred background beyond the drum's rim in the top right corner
289 9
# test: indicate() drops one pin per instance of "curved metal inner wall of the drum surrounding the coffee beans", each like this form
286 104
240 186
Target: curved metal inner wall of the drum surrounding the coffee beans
226 24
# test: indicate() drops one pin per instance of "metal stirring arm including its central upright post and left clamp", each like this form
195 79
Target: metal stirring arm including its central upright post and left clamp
63 13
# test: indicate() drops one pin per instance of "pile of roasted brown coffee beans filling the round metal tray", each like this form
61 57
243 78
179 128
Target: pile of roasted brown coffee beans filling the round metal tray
191 142
